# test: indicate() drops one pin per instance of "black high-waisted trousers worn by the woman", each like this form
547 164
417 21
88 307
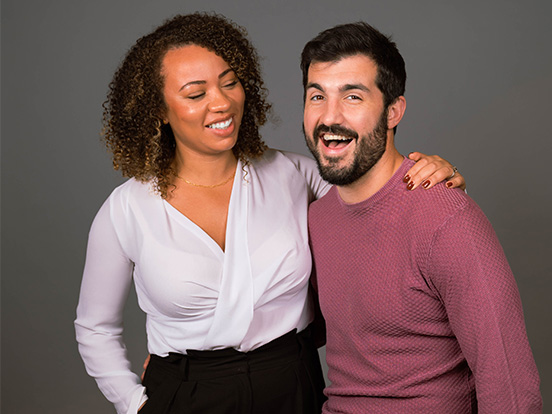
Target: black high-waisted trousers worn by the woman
281 377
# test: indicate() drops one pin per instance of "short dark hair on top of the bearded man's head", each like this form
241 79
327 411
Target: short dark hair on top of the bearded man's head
351 39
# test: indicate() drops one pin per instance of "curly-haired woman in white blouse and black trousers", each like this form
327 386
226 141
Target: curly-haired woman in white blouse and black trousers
212 228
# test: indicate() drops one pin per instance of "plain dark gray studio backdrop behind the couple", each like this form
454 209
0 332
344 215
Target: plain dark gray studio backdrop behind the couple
478 93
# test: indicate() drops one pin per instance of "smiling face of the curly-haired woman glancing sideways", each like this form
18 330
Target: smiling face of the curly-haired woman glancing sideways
204 100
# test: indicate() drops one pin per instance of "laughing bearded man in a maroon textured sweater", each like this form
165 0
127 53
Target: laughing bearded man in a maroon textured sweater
422 311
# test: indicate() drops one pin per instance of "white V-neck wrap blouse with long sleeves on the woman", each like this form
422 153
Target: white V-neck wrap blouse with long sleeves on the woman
195 295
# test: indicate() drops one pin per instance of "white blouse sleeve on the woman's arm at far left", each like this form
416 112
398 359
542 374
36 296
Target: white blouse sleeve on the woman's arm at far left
99 326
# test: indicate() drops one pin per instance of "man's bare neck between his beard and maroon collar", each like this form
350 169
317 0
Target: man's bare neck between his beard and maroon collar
371 182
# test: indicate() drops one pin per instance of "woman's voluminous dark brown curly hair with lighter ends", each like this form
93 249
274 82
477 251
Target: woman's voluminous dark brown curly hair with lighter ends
142 146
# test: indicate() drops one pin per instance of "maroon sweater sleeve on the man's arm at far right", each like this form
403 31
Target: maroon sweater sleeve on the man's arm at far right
470 273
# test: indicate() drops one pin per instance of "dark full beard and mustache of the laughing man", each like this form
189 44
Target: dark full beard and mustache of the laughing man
368 152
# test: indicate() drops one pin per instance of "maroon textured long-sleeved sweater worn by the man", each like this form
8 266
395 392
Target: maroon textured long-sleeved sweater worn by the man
422 311
